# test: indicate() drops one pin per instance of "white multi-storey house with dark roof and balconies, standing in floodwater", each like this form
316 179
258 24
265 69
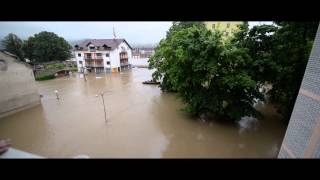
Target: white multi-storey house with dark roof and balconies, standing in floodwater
103 55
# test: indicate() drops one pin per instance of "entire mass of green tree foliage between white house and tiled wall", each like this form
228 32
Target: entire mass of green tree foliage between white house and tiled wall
223 78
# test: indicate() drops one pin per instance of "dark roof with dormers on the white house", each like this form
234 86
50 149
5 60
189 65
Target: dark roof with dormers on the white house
112 43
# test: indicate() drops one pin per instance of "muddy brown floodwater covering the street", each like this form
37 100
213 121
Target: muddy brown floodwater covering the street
142 122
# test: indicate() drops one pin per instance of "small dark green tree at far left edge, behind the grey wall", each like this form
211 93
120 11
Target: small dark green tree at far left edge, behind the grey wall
13 44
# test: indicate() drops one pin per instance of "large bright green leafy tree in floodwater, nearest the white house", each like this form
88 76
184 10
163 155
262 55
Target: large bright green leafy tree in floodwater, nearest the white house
208 75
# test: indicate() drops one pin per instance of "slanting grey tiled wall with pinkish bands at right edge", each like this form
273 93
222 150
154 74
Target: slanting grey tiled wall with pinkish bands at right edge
302 138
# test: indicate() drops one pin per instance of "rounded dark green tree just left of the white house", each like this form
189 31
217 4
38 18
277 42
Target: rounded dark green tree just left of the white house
47 46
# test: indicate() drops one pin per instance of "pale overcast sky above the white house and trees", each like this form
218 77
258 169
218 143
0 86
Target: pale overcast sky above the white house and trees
134 32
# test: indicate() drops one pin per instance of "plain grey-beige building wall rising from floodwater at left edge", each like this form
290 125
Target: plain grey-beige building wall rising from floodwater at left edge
17 86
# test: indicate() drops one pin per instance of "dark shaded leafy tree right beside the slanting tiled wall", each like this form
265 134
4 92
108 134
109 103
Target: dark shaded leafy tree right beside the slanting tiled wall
280 53
